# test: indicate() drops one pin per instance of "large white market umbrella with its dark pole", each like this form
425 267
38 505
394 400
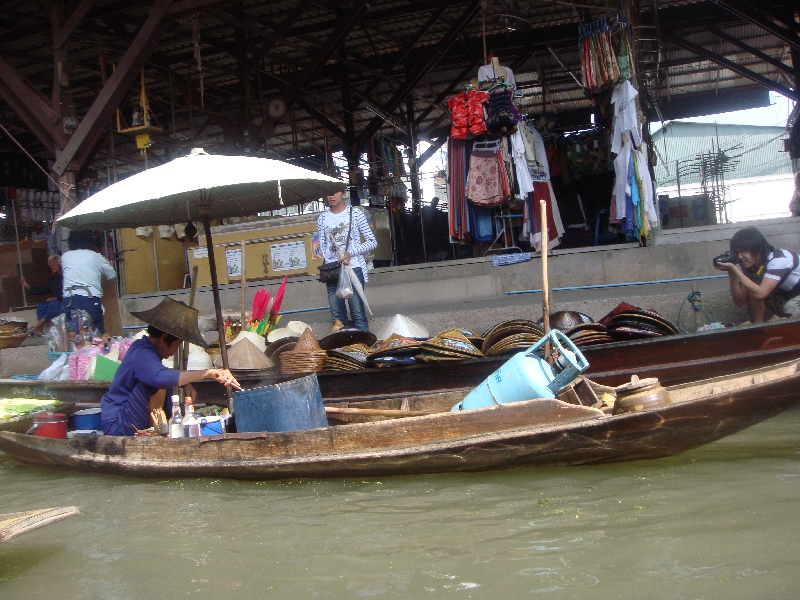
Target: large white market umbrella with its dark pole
200 187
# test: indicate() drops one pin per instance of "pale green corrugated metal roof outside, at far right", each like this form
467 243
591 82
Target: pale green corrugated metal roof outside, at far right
752 150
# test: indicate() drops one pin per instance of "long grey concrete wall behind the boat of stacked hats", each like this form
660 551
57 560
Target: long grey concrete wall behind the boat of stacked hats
673 254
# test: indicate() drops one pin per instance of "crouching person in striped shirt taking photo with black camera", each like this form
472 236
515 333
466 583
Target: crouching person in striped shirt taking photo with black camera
764 278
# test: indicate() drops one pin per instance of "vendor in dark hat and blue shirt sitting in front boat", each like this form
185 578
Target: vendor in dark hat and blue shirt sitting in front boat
141 381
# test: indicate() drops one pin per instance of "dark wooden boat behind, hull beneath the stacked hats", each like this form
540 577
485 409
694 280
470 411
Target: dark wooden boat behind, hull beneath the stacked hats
674 359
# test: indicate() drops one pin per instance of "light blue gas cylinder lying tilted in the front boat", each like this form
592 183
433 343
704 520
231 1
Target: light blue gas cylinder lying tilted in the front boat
526 376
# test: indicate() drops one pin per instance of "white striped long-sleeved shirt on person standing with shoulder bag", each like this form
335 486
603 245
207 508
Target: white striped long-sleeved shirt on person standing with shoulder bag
338 225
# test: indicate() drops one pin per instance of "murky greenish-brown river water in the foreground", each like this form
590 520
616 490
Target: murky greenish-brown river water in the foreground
718 522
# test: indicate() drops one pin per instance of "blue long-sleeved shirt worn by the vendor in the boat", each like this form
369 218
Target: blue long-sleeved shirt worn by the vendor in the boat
141 365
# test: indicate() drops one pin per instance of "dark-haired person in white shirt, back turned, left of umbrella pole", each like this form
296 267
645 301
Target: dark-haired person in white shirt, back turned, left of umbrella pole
84 269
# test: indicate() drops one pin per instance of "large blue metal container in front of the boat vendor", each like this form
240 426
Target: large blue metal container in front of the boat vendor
289 406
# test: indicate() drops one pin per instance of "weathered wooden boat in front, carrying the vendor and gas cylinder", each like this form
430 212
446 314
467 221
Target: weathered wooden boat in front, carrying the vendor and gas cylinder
535 432
